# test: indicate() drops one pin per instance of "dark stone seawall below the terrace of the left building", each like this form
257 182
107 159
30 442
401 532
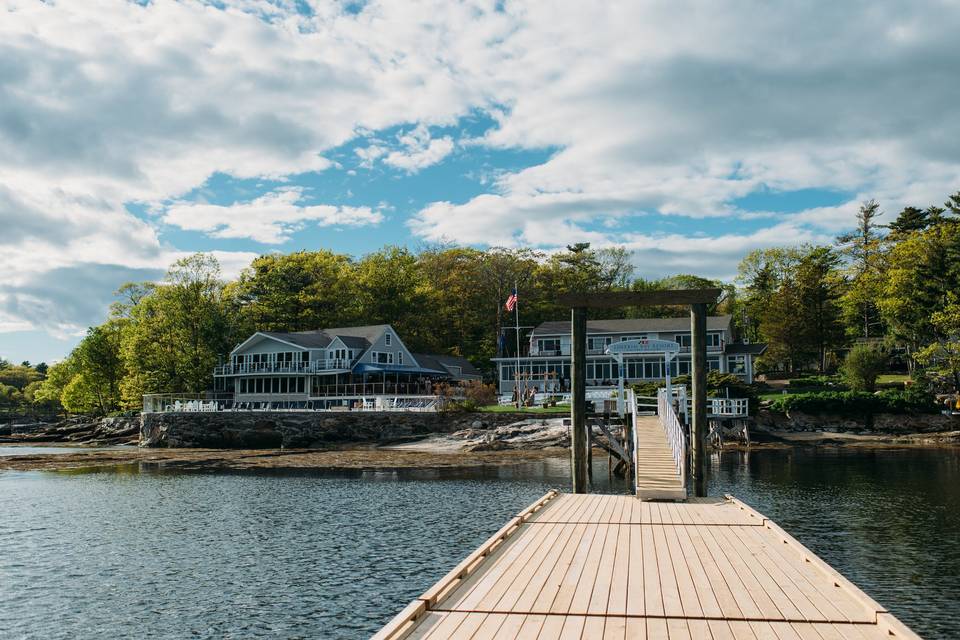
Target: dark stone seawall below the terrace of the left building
308 429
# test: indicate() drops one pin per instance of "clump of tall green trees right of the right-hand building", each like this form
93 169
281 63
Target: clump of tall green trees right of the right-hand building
894 288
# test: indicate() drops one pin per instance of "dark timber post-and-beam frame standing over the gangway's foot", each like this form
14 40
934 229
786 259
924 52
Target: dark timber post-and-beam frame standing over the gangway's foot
697 301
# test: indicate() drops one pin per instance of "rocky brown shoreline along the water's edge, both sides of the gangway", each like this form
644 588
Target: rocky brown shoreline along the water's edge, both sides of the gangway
458 440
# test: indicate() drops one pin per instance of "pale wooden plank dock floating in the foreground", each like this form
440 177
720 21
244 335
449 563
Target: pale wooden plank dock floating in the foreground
615 567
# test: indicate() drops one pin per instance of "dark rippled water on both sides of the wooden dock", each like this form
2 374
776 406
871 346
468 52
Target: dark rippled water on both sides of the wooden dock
159 555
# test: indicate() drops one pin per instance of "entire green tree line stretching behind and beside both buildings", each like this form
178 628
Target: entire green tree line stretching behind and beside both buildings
893 287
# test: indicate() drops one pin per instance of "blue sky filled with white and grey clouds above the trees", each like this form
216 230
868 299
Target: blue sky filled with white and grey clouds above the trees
691 132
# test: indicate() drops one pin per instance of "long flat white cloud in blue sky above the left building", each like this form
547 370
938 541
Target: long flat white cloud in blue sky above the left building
270 219
